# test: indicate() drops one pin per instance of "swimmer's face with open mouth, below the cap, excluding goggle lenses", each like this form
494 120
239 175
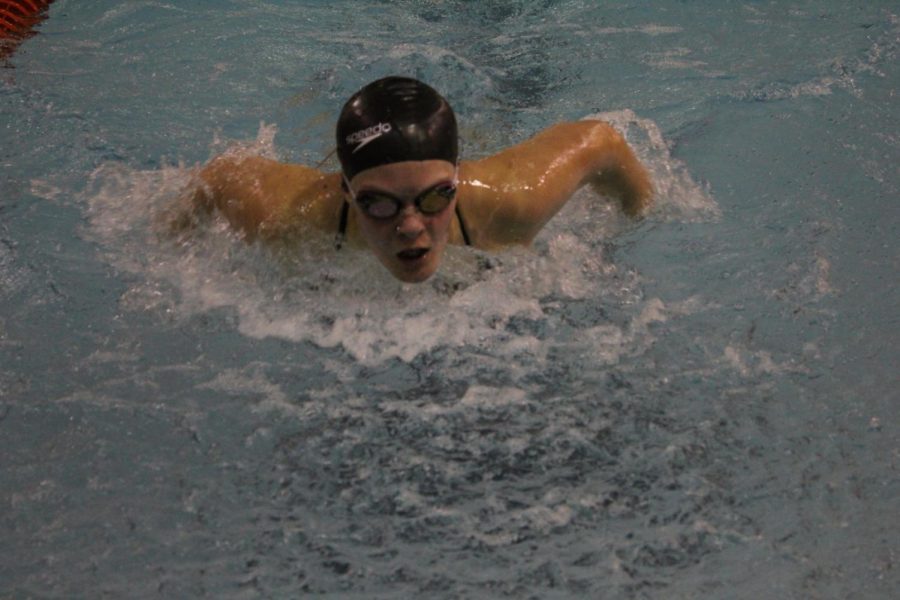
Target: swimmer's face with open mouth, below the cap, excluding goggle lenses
411 243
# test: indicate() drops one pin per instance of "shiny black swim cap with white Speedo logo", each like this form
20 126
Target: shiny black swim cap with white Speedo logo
393 120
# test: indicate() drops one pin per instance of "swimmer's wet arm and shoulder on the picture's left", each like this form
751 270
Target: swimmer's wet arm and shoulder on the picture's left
259 196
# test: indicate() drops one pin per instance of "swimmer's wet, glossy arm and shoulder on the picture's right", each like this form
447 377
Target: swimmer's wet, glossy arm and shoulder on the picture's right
514 193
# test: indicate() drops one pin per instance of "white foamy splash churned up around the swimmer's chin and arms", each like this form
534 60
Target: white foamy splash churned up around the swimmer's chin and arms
507 302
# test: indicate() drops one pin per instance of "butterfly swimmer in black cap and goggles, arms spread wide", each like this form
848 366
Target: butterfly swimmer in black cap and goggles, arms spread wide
402 190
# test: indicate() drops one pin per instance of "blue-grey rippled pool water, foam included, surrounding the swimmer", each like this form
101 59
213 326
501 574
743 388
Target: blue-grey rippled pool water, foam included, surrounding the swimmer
700 404
